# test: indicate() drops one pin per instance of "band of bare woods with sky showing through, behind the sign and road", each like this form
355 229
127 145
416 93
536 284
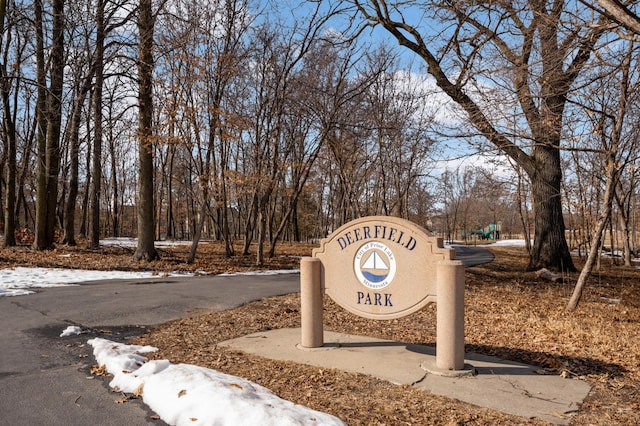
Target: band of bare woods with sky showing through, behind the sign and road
263 121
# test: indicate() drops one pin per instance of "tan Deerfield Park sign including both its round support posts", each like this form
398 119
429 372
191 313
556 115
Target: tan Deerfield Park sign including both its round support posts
382 268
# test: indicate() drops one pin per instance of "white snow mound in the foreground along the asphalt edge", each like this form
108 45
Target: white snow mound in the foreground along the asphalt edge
184 394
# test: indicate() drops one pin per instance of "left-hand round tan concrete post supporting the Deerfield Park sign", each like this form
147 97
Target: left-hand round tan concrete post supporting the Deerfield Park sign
311 302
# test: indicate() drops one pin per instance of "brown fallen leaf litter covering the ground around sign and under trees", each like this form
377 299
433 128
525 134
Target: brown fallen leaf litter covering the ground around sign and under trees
509 313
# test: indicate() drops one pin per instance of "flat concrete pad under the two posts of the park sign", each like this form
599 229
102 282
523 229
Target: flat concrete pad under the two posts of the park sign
506 386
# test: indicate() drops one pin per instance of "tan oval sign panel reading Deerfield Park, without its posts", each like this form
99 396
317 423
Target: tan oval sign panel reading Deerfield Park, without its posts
381 267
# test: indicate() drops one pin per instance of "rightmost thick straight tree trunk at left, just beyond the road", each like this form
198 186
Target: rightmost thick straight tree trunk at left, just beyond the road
146 247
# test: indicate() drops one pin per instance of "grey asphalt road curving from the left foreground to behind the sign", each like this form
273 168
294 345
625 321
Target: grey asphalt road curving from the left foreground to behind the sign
46 380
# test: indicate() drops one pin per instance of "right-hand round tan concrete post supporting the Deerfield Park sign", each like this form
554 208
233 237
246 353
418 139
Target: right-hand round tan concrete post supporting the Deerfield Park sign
450 315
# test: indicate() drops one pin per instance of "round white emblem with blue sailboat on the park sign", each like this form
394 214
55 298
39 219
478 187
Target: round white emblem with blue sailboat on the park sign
375 265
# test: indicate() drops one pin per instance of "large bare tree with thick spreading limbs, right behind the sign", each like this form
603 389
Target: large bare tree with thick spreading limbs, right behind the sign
533 42
